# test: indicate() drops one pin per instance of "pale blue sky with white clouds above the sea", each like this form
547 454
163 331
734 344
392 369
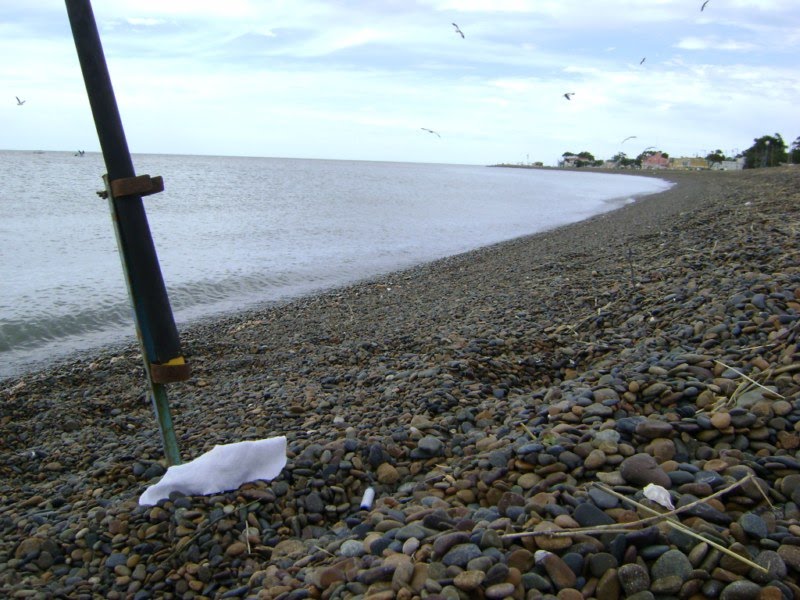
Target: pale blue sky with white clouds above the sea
364 79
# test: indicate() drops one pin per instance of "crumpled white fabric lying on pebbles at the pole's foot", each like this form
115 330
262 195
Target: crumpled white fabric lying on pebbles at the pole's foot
223 468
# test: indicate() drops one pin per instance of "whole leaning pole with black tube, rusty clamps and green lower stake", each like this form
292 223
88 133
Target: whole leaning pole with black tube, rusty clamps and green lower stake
155 325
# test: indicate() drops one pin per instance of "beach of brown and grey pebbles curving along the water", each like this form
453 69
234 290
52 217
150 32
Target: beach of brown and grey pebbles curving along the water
508 407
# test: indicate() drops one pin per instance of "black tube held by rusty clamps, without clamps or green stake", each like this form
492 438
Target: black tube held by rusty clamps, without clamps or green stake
154 318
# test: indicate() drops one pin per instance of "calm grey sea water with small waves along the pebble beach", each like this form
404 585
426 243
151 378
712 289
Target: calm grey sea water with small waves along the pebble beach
232 233
